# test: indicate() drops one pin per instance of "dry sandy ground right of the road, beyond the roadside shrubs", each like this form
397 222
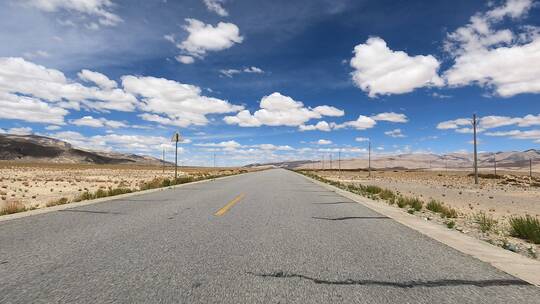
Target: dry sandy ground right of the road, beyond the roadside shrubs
509 195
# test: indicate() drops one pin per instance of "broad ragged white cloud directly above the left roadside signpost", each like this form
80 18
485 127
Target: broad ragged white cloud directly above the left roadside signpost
182 104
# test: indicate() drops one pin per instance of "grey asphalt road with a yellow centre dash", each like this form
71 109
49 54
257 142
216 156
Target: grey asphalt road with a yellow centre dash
265 237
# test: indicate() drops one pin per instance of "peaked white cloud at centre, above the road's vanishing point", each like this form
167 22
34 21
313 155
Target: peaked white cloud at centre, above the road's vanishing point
280 110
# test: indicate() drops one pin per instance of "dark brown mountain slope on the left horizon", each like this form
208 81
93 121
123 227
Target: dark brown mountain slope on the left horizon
45 149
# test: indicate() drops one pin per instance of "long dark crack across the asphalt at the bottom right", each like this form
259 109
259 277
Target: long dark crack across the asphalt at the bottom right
406 284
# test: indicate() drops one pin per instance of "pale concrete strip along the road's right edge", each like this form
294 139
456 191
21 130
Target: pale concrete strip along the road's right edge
512 263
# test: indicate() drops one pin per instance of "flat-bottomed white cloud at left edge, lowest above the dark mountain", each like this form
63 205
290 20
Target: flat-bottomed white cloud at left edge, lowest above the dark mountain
30 109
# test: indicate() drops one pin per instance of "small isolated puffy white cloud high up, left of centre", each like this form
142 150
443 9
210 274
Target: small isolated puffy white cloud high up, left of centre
203 38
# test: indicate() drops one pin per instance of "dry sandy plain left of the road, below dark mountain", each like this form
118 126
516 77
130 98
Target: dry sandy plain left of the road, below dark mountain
36 184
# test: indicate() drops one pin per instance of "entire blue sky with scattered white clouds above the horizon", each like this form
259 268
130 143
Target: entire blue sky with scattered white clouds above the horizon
257 81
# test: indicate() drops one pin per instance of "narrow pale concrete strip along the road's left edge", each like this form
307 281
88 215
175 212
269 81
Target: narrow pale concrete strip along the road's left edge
44 210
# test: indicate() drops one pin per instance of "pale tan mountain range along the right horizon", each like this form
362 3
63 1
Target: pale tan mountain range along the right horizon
505 160
